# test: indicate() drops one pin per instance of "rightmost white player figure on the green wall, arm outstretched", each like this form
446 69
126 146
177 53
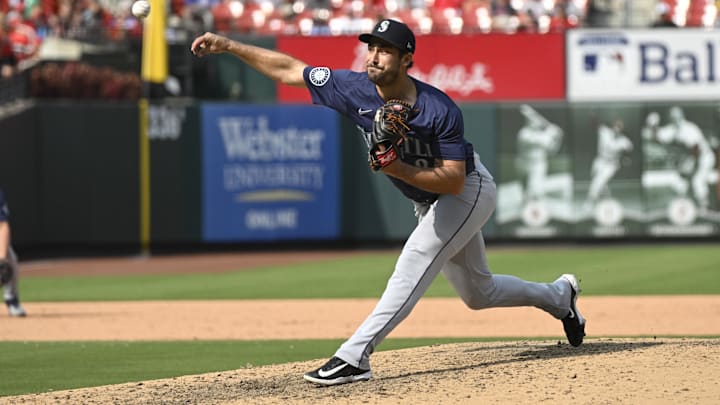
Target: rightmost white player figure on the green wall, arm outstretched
686 133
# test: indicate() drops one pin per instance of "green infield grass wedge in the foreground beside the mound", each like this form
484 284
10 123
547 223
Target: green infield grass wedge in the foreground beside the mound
35 367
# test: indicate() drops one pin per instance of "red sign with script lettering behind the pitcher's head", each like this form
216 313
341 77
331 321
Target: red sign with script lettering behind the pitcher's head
468 68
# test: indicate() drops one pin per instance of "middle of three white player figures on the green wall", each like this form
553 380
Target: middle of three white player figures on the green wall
611 145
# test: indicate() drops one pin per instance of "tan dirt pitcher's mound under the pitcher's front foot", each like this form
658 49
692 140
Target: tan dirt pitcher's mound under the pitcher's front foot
602 371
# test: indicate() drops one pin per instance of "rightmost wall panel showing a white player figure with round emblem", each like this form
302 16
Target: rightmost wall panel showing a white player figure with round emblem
680 176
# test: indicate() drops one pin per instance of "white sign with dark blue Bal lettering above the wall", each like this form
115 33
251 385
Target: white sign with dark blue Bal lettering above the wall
656 64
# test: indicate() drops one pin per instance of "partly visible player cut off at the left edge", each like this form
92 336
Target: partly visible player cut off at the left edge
8 263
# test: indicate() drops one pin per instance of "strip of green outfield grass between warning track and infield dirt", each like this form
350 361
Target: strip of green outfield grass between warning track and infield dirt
667 269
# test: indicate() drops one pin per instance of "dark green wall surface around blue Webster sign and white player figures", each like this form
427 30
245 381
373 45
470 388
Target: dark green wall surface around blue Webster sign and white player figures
71 171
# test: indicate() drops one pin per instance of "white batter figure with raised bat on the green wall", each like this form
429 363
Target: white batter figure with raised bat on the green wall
537 140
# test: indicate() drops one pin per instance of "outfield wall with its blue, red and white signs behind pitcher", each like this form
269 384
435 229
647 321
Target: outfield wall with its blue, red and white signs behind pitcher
584 149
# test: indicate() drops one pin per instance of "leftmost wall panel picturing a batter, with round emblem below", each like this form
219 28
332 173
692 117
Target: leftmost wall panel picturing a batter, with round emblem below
535 176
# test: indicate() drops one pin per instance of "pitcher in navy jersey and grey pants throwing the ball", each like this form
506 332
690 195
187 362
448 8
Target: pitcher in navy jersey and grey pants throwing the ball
436 168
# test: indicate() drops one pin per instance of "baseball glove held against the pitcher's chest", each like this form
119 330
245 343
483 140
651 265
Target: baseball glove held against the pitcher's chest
389 129
